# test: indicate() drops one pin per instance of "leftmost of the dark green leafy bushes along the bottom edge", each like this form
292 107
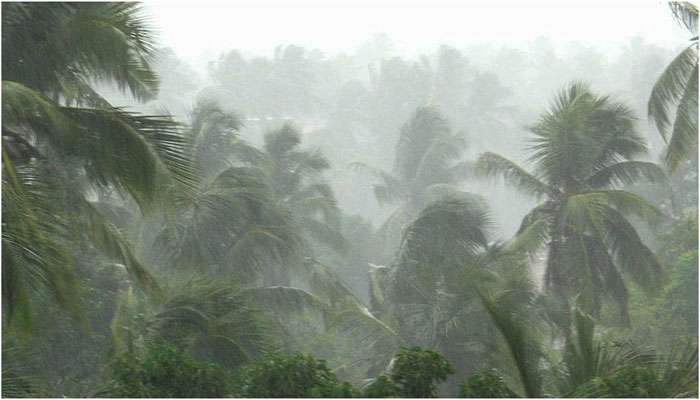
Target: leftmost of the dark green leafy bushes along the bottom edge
166 371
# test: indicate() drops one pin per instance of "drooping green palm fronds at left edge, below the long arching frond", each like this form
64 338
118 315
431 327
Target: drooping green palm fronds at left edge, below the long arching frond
35 256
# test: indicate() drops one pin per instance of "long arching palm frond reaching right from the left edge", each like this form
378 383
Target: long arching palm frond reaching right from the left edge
118 148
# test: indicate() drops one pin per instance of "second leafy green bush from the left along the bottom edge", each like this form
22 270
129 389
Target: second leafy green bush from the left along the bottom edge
291 376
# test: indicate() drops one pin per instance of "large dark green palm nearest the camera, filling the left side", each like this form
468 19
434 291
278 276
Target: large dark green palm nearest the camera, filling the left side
54 148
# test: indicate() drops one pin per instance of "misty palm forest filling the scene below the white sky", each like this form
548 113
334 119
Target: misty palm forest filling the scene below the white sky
477 222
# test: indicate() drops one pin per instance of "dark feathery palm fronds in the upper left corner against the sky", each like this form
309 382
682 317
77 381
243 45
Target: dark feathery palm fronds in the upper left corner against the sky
108 41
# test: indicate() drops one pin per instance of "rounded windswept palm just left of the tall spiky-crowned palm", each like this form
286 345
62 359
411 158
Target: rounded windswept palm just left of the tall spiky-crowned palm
430 295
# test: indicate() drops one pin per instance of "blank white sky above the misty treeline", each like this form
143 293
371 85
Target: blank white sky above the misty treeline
199 31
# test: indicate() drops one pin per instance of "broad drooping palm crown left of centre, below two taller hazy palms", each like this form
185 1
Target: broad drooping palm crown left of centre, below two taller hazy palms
234 225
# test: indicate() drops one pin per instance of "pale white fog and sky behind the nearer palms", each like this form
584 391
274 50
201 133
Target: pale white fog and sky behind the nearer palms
510 70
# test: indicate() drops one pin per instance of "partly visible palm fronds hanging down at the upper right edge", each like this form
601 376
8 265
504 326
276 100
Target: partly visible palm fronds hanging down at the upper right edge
677 87
